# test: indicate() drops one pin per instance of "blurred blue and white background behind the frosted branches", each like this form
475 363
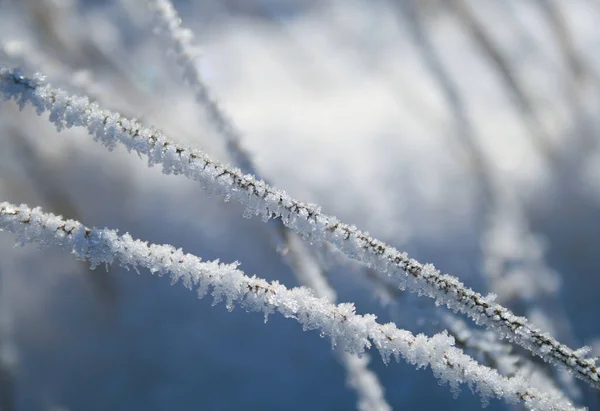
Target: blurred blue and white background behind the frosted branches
465 132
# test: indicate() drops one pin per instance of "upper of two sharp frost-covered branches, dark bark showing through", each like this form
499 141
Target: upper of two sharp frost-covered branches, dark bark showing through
110 128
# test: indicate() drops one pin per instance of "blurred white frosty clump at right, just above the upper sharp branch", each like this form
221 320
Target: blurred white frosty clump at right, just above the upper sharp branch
515 268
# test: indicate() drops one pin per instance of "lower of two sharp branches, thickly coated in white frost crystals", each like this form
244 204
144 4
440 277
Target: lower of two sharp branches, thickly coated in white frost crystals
352 332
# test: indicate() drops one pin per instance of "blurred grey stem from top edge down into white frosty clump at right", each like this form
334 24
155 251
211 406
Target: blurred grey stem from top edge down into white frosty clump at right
494 193
